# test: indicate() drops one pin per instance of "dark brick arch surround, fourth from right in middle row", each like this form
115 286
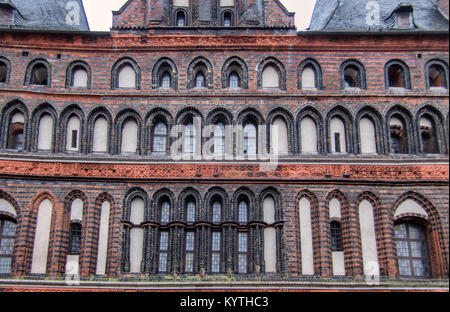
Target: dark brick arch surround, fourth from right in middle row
347 119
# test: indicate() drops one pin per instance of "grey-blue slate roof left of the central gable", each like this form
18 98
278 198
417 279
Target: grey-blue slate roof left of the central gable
62 15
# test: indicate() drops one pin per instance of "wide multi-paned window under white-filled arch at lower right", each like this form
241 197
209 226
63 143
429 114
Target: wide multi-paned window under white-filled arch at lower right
412 251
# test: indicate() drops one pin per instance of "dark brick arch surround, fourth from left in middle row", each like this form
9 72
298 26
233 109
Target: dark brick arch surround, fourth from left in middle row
94 114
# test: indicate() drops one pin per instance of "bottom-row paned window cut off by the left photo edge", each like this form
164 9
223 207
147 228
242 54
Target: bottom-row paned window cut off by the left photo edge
7 239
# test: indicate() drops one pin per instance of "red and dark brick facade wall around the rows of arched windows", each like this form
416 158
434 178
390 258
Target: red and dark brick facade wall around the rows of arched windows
385 180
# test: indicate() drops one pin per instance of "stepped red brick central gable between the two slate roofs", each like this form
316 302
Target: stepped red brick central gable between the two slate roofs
188 14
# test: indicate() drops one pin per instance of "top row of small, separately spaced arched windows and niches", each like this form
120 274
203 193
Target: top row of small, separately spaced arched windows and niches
126 74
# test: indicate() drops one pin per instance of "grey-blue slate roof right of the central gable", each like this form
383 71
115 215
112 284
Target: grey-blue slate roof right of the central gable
350 16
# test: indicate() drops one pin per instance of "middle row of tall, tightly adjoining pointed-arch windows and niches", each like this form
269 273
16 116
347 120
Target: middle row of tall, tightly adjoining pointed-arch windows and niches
400 133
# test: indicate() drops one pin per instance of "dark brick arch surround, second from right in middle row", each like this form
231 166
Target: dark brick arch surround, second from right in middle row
407 117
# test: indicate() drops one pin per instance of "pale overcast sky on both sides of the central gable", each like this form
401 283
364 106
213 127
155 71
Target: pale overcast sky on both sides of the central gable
100 16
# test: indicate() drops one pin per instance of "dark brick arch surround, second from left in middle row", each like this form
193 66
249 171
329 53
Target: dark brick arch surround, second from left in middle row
38 112
